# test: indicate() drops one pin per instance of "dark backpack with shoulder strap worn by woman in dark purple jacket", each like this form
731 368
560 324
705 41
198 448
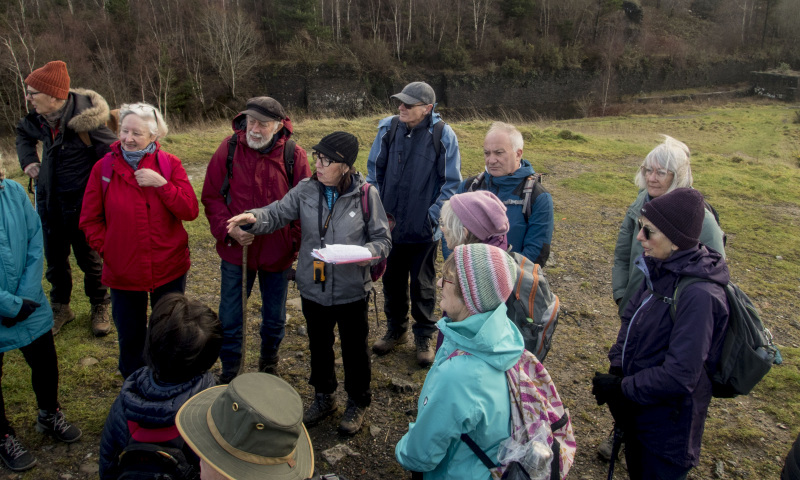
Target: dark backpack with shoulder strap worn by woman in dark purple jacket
747 351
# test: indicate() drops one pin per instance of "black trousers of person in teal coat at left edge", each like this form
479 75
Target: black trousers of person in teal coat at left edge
41 357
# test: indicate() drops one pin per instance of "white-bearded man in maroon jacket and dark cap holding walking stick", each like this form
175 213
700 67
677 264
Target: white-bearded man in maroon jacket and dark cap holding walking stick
252 168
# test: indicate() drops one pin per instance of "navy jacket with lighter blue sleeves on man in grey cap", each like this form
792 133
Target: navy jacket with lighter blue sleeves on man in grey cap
412 181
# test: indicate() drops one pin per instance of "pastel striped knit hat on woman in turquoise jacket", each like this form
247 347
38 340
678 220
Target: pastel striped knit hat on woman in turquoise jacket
486 275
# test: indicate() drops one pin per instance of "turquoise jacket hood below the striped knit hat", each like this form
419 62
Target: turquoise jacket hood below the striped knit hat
489 336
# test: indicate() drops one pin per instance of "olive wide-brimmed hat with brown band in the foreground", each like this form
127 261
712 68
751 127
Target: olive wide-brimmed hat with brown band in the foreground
250 429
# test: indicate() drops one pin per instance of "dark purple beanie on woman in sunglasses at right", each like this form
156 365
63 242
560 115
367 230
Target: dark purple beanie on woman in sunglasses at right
679 215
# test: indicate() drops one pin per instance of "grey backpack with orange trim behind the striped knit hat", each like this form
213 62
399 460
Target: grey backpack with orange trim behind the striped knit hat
533 307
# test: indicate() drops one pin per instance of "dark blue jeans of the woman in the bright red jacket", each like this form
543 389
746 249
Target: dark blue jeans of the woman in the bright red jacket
129 311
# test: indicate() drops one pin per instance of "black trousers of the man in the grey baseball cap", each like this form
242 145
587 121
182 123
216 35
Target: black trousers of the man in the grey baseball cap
417 260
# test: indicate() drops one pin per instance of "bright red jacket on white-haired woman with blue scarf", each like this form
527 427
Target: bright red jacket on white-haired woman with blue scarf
138 230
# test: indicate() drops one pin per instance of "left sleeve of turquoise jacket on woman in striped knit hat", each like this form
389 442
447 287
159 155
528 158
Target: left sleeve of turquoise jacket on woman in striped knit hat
445 412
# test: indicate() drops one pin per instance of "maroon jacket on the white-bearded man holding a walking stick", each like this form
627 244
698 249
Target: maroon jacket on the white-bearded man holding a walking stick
258 180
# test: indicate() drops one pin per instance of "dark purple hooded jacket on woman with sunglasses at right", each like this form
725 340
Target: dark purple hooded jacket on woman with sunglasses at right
664 362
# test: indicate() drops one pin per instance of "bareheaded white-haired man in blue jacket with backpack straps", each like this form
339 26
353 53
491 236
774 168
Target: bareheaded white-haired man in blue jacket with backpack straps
506 175
